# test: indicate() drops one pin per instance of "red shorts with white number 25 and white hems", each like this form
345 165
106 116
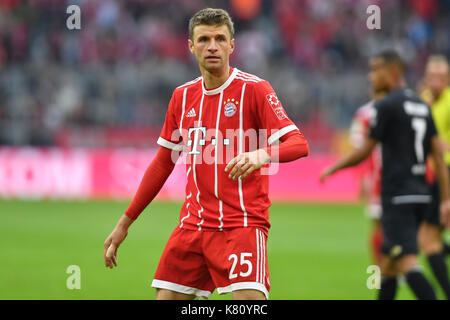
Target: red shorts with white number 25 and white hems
197 262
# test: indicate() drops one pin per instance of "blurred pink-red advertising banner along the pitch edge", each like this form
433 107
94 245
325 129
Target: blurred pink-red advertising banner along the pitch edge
116 173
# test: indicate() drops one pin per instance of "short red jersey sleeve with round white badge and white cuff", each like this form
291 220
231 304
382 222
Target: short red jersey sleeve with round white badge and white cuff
270 112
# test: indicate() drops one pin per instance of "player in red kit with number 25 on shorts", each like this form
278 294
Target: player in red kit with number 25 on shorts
229 123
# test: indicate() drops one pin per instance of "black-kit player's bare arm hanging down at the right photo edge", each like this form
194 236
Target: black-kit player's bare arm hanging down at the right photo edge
443 180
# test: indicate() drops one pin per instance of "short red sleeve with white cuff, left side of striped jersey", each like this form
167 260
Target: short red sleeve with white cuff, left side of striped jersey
170 136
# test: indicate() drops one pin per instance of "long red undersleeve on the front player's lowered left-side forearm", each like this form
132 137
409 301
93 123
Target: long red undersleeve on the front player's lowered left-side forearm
153 180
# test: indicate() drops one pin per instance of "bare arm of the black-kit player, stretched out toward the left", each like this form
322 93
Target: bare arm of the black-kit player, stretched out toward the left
351 159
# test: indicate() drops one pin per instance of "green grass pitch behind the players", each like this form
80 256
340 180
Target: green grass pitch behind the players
316 251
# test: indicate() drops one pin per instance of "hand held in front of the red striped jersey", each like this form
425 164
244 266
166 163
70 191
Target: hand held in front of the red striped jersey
245 163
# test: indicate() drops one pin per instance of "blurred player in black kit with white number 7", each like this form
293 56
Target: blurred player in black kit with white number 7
403 125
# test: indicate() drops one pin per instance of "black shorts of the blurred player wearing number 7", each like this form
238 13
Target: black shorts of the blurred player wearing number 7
400 223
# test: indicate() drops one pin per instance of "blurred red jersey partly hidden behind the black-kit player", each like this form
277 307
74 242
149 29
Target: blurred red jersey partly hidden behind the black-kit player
371 168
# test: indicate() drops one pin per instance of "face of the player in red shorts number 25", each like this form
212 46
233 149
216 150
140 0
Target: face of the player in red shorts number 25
212 47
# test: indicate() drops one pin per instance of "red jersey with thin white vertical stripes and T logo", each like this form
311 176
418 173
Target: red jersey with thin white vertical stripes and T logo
212 127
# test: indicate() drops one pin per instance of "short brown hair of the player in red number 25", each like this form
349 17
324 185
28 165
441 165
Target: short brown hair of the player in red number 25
211 17
